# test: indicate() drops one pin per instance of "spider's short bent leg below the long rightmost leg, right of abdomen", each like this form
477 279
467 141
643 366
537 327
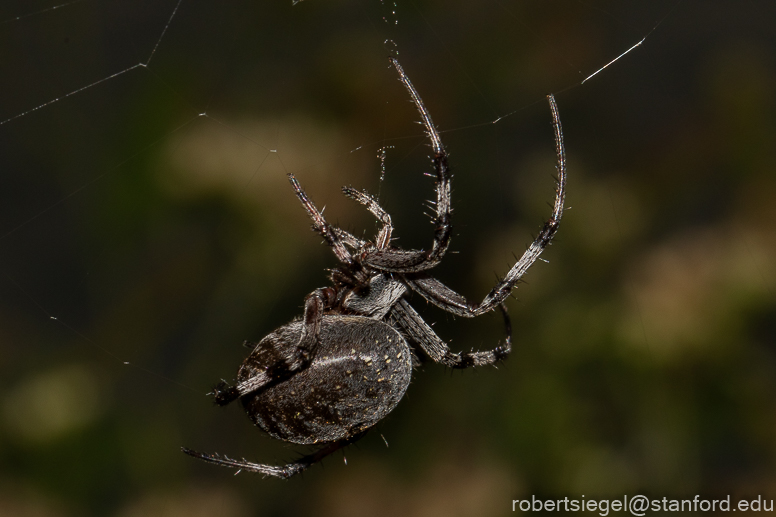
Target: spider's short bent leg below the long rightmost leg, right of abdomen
418 330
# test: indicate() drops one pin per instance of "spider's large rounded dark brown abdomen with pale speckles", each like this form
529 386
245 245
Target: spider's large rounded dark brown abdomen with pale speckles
359 372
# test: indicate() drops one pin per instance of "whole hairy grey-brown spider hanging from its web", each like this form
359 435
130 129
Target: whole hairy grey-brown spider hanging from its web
328 377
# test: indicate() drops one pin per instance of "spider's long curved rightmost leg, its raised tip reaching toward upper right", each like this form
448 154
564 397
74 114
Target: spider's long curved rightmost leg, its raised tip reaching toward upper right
445 298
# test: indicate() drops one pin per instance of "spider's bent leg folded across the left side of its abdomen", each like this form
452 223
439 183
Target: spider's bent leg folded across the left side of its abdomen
285 362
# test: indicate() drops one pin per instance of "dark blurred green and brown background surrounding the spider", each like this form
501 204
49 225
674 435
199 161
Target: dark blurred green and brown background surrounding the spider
147 229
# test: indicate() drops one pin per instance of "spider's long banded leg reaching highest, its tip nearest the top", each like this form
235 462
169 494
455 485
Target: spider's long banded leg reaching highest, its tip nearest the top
408 261
